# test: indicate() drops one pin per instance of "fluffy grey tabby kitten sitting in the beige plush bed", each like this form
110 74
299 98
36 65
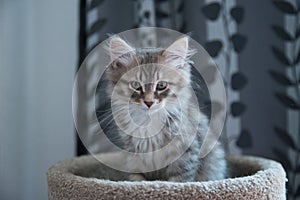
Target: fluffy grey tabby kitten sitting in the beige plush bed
153 105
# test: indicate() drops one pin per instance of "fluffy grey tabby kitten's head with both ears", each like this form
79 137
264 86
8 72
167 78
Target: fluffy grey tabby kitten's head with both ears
149 78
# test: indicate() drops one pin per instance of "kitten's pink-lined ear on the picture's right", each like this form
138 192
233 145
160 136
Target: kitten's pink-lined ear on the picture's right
178 50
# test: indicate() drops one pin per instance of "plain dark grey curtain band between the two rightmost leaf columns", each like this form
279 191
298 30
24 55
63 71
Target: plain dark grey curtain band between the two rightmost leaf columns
263 111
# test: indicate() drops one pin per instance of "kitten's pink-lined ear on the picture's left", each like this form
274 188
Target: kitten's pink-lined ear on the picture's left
118 47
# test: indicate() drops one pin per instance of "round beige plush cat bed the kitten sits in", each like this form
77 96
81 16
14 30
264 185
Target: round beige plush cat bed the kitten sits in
86 178
